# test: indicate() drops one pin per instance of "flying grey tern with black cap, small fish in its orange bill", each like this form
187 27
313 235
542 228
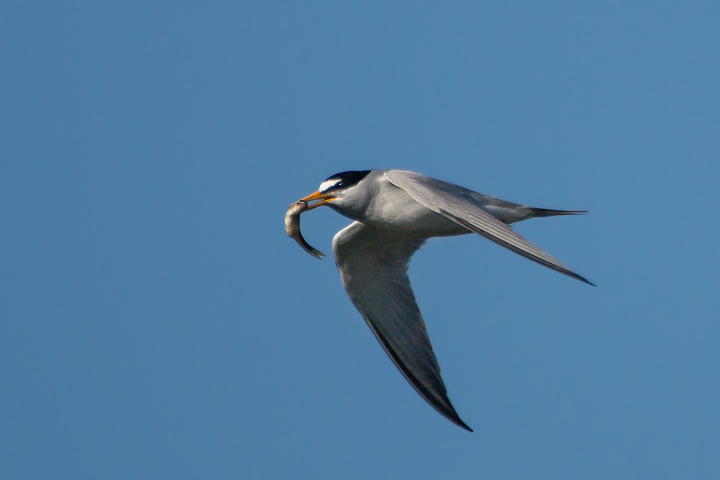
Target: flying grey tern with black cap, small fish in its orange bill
394 213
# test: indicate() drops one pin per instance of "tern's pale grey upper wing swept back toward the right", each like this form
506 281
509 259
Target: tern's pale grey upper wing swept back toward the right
462 207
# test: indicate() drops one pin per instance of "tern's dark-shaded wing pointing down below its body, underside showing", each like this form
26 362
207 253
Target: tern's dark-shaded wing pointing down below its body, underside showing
373 264
